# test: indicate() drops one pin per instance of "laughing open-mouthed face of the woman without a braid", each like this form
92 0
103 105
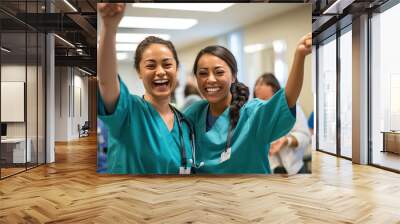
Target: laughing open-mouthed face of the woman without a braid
158 70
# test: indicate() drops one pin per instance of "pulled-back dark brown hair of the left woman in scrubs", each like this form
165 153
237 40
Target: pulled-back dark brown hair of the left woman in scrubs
149 41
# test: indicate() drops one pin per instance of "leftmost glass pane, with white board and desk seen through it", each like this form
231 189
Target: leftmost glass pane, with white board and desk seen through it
13 85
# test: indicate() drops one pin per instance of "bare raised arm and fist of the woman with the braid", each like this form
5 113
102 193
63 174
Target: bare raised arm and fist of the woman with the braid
296 75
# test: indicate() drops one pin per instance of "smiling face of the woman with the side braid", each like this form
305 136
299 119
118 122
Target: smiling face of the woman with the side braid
214 78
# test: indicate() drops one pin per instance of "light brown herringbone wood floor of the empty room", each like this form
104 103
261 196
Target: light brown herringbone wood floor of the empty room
70 191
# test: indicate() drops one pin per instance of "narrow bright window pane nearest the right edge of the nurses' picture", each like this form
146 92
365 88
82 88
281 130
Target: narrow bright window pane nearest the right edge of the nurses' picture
327 97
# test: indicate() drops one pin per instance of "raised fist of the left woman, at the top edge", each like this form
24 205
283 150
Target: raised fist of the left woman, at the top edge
111 14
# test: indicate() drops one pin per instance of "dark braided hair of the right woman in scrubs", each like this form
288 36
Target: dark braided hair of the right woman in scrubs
240 92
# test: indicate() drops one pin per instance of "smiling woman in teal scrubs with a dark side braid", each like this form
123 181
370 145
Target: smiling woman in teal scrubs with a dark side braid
229 130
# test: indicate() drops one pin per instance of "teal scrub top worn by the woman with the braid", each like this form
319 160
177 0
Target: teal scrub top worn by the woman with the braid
260 123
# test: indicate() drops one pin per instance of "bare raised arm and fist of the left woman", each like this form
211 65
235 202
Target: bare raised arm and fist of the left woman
111 15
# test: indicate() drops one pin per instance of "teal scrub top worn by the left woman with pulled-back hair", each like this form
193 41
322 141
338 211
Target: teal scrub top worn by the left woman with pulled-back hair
139 140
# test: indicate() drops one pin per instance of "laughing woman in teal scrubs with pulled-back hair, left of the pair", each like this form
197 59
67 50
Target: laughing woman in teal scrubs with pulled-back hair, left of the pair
145 134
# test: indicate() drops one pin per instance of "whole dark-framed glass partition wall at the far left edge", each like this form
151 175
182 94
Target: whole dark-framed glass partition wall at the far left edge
22 89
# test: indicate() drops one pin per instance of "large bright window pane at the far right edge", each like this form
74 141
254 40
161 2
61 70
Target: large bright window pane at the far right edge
385 87
